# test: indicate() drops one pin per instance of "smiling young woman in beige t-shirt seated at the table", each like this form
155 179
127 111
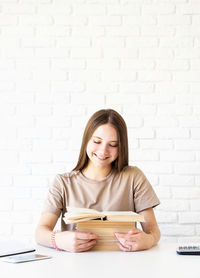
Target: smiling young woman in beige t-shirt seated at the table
102 180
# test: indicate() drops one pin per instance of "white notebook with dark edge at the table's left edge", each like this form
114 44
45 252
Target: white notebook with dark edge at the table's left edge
13 247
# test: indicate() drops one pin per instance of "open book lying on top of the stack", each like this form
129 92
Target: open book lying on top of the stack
75 215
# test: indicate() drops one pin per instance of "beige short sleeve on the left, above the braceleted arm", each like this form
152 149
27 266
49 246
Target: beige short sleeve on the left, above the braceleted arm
54 200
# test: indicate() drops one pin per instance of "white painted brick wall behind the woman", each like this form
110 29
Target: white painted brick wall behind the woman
61 60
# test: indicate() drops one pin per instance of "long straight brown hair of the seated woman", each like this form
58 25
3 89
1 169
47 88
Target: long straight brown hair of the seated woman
102 117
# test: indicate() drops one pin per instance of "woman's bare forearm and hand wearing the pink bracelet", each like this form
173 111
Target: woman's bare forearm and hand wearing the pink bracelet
72 241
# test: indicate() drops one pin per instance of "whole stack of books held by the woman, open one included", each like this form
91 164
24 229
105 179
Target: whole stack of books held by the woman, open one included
104 224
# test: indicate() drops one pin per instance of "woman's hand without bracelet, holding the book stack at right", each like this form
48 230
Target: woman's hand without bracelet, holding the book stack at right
134 240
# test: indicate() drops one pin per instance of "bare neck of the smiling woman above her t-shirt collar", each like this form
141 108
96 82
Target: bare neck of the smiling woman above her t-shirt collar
96 173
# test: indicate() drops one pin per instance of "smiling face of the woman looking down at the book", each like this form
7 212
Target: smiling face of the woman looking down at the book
102 148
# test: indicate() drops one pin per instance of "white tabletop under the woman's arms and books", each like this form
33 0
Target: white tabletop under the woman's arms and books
159 262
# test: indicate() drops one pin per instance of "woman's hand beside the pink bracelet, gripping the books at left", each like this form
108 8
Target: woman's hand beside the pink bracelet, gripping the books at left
75 241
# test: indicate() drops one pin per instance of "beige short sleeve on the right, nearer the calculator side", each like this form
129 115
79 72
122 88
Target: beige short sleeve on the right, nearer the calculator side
144 195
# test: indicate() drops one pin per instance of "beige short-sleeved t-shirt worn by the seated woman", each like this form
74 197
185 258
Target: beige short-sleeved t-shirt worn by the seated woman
123 191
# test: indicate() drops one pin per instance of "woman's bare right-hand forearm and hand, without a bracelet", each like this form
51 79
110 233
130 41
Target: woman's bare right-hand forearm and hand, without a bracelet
137 239
